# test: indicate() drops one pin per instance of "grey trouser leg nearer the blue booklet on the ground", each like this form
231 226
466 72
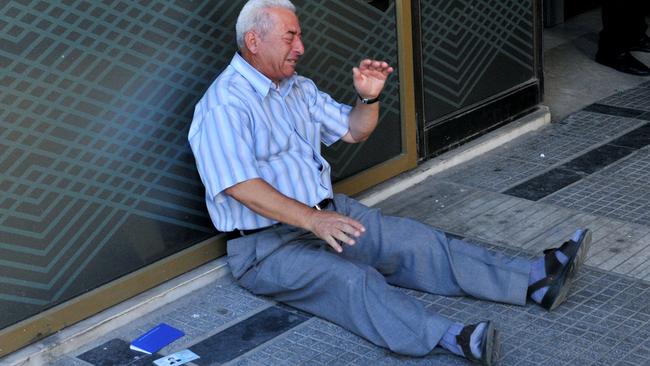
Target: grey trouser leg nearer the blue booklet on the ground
312 278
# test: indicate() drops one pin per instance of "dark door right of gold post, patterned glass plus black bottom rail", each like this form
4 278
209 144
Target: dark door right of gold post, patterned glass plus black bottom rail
480 67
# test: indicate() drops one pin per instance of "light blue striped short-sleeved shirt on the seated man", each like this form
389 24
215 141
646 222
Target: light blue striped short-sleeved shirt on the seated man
245 127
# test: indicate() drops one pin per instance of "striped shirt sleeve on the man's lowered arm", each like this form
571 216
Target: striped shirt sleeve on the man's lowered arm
222 143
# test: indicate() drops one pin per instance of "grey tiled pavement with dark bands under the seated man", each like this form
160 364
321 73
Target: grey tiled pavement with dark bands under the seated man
591 169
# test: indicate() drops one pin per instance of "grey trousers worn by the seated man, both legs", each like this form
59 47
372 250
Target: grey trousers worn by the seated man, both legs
353 289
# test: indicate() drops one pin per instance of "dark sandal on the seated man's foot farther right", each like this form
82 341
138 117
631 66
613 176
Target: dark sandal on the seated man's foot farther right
559 276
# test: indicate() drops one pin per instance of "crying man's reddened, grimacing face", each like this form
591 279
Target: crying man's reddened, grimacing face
280 48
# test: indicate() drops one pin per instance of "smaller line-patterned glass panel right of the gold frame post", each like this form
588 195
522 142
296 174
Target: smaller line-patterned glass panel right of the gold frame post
473 50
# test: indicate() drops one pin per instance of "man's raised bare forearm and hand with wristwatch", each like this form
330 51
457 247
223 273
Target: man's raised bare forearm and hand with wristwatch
369 80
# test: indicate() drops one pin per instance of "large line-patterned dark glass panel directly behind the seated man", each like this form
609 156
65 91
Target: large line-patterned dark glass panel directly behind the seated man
96 176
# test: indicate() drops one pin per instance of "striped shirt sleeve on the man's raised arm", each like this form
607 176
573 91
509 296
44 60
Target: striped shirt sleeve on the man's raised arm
332 115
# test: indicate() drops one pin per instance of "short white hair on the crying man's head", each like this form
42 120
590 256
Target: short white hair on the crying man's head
253 16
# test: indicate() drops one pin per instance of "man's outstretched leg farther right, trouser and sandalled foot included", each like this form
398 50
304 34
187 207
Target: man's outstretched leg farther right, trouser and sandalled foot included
414 255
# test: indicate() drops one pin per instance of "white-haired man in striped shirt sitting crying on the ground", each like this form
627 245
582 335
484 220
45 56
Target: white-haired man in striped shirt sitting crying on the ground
256 136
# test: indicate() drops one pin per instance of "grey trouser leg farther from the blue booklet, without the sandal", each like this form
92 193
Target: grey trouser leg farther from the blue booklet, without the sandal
414 255
